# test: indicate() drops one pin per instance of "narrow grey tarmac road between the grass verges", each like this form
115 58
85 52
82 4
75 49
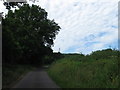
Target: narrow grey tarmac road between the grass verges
36 79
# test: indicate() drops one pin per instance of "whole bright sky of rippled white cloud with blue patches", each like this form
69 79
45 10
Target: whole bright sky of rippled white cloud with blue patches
86 25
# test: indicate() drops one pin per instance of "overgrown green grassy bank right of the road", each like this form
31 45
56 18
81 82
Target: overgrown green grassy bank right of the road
98 70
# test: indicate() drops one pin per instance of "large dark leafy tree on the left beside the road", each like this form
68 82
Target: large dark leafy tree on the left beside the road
27 35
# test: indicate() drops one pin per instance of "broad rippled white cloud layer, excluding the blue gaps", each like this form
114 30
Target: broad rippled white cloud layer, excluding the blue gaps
78 22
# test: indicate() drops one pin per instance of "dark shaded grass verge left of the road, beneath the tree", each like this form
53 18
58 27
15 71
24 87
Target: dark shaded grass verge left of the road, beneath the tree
12 73
